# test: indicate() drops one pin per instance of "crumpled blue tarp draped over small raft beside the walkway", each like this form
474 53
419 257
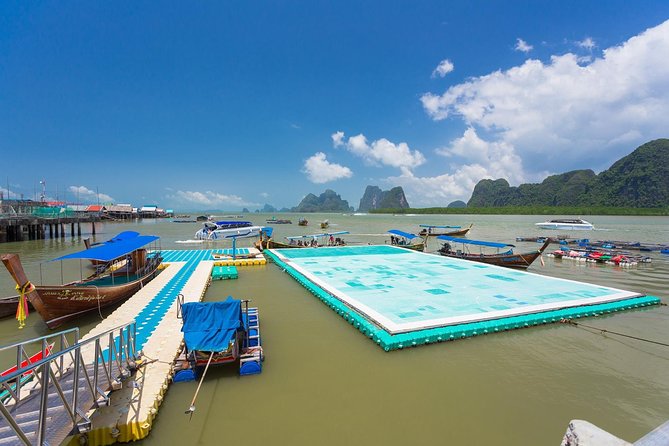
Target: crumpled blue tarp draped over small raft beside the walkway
211 326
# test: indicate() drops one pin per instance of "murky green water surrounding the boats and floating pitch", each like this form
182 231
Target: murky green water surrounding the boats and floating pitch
323 382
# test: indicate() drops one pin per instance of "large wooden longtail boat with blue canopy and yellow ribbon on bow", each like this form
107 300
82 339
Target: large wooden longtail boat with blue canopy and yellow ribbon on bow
58 304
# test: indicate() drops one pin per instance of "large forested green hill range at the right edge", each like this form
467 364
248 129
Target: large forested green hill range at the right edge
638 180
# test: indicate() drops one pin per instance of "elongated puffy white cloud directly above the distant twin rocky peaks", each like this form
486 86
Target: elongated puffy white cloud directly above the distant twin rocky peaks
382 152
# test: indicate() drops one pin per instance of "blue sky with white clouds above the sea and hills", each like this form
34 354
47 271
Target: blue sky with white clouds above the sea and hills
224 105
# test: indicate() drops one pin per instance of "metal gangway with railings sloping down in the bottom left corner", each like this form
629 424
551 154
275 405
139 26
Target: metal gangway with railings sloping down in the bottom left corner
49 397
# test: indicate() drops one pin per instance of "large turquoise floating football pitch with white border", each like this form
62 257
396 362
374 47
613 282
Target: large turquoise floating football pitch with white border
401 298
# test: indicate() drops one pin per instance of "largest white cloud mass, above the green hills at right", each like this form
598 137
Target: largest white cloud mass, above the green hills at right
562 115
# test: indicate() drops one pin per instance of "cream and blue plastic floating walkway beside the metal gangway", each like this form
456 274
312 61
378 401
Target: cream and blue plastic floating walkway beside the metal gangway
132 409
